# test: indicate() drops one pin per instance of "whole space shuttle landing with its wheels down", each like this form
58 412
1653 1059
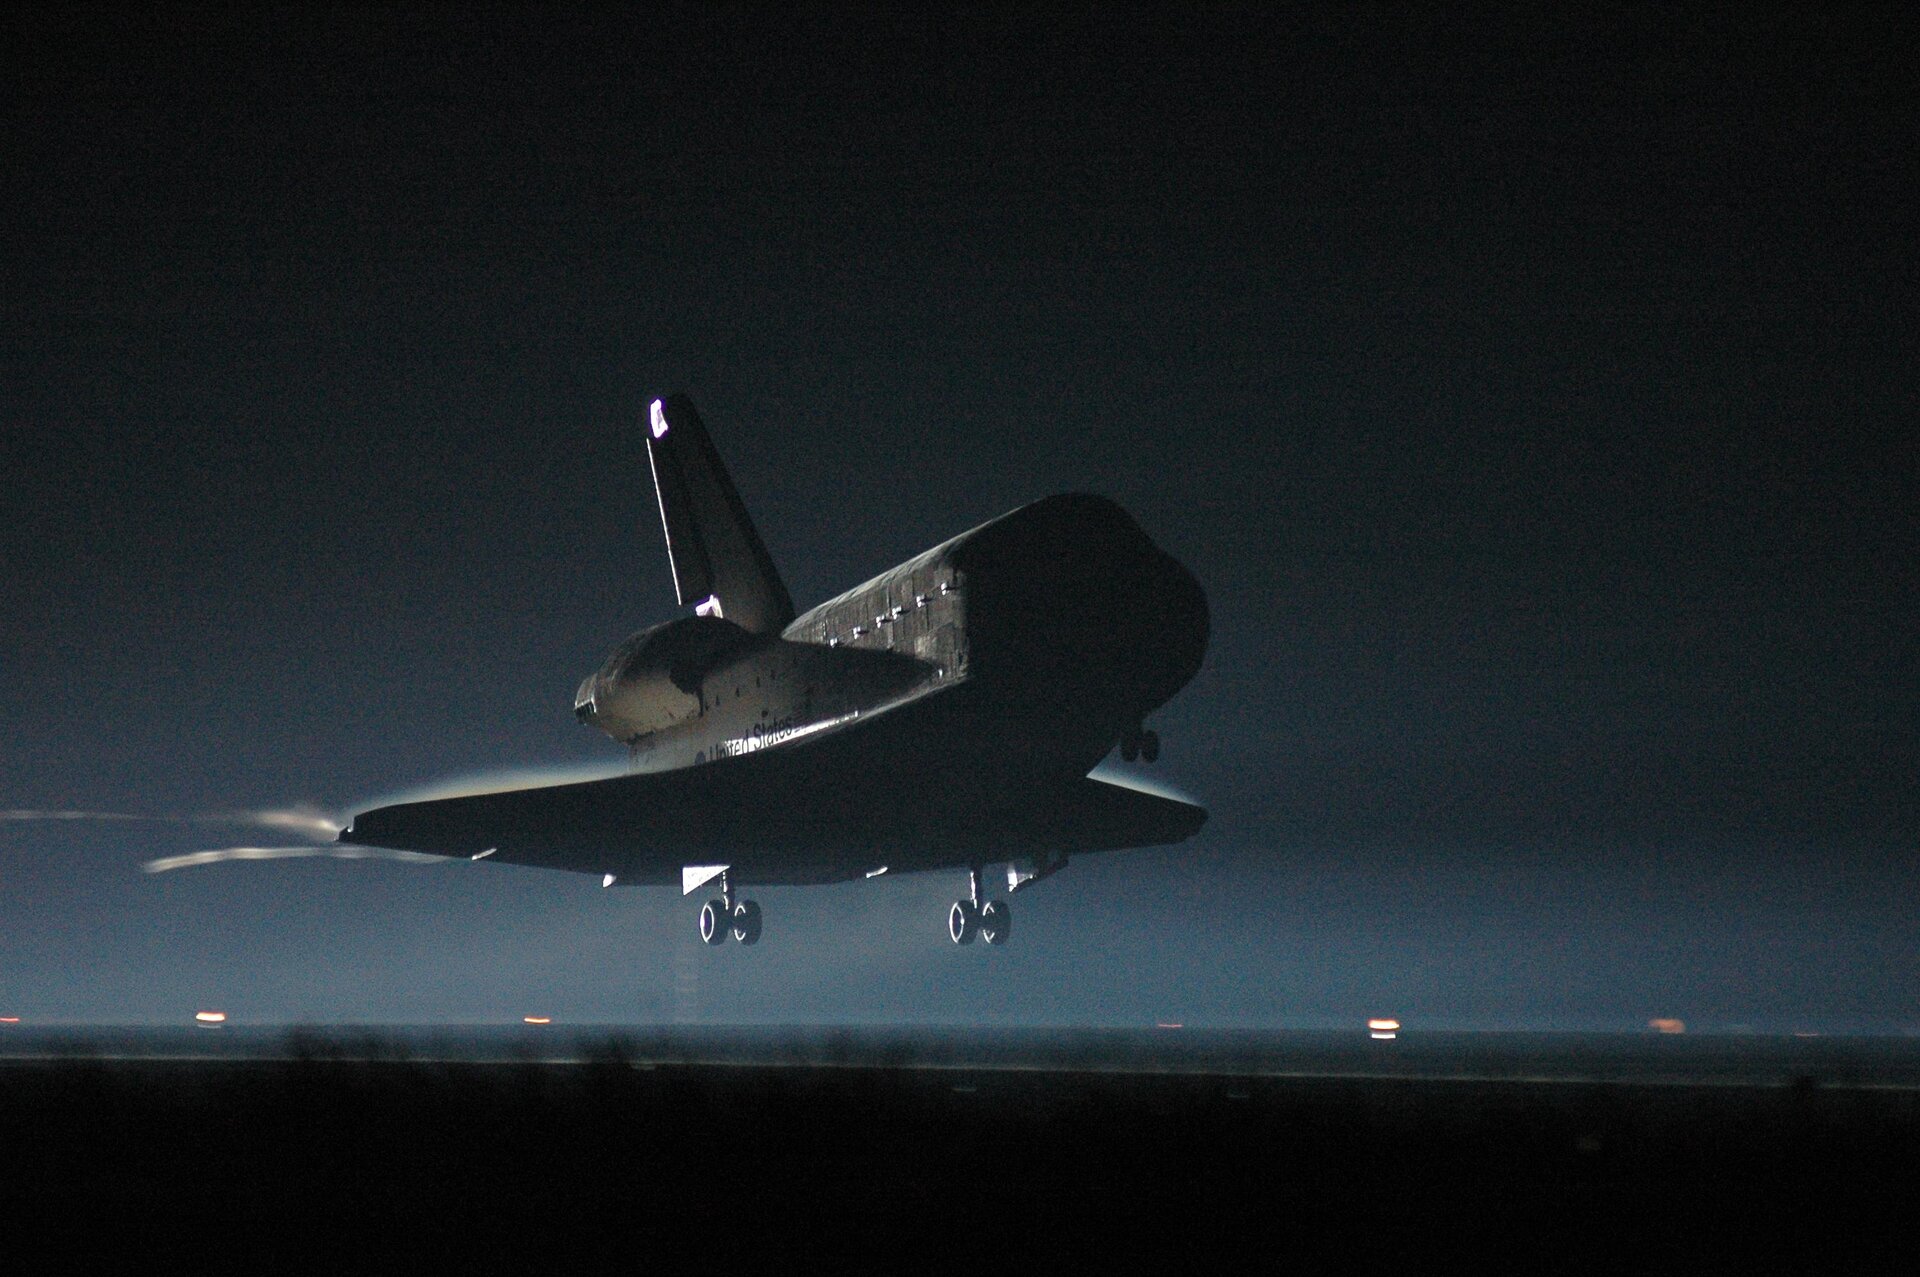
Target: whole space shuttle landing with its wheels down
942 717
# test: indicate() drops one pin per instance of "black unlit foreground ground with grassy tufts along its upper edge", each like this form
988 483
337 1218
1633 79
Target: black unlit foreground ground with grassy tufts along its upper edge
350 1153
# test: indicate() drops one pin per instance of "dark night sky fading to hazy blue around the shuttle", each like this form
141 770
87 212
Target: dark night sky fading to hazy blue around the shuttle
1537 406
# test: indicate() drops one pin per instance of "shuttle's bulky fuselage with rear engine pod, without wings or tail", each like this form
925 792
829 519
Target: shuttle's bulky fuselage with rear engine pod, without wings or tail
1063 617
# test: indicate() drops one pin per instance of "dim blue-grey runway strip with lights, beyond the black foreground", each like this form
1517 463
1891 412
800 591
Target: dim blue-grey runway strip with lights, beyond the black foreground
1547 1059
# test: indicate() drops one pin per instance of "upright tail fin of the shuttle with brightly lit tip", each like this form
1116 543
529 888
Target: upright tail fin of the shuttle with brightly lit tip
719 560
